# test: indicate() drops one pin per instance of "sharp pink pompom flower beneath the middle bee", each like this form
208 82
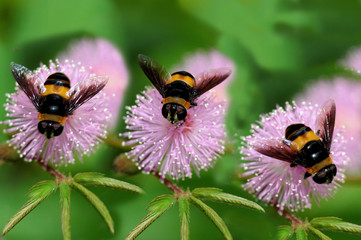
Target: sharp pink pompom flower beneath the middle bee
175 149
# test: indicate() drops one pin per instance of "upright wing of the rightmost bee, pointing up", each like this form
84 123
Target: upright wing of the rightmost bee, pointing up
325 122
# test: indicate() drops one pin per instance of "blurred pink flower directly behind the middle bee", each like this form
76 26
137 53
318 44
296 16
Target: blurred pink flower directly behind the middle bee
205 61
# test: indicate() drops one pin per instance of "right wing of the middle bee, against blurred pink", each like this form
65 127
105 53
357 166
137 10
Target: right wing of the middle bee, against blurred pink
208 80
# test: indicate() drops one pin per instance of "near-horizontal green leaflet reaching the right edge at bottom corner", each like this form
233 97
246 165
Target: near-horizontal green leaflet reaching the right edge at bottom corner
335 224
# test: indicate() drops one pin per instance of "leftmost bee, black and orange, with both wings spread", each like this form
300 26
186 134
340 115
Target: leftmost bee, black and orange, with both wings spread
55 100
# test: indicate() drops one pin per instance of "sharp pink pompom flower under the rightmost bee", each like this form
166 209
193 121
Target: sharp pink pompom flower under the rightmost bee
274 181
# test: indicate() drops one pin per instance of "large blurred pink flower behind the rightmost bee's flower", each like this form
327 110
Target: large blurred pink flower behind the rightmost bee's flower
346 94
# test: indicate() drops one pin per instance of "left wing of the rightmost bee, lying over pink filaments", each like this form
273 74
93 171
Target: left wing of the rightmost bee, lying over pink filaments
276 148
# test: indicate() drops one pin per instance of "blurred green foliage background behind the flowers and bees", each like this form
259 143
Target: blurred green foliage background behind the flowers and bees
279 47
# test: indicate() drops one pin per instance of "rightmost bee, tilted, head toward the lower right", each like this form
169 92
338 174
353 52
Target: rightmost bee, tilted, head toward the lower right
303 147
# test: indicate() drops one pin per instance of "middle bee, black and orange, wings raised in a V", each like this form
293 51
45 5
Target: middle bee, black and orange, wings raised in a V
180 89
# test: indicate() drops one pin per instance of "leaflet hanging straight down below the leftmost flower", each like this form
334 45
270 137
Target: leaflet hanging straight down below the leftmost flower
65 210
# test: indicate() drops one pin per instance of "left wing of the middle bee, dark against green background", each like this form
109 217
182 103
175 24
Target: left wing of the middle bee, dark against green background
156 73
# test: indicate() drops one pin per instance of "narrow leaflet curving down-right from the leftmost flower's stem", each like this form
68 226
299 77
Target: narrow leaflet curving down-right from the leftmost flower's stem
97 203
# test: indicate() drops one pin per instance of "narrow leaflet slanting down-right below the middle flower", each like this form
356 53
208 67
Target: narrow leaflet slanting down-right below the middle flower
213 216
